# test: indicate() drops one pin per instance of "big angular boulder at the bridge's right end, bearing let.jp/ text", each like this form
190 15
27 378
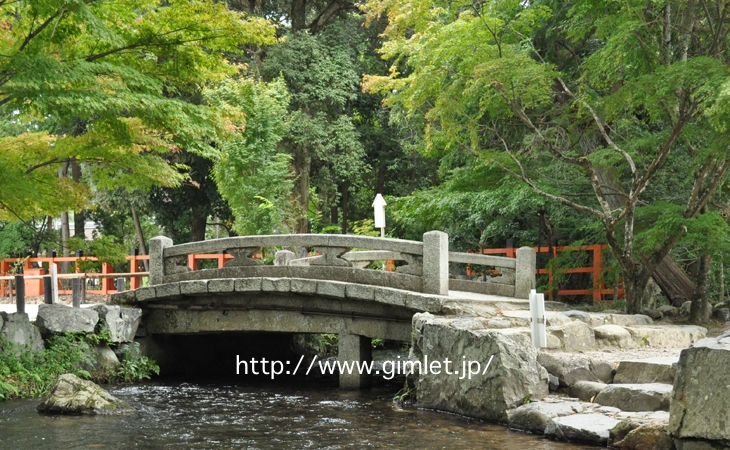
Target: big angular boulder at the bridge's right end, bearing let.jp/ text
512 376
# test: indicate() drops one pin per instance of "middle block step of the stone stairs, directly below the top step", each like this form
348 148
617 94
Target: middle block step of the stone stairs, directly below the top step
636 397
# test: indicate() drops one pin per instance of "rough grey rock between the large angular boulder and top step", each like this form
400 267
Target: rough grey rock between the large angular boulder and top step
571 368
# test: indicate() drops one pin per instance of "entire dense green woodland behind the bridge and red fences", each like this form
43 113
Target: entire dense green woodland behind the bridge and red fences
582 122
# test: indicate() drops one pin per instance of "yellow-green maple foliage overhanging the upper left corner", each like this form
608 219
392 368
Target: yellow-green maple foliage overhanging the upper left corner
102 83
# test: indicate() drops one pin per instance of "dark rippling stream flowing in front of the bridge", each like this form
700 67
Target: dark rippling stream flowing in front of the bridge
187 415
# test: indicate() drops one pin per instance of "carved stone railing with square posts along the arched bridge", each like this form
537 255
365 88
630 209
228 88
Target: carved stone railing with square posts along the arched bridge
422 266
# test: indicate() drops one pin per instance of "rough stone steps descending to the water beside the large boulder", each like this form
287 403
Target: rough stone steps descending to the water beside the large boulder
598 412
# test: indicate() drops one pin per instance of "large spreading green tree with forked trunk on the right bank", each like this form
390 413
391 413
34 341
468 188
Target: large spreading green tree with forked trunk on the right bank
590 104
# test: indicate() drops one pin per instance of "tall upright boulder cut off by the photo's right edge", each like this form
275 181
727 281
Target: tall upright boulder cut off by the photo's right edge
701 403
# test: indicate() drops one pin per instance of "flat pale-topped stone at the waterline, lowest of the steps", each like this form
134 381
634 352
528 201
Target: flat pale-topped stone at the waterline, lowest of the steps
590 428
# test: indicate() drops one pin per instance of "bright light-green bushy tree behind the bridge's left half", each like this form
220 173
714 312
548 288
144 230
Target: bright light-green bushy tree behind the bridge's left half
252 174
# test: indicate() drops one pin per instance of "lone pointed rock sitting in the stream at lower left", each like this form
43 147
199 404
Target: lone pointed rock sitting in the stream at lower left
72 395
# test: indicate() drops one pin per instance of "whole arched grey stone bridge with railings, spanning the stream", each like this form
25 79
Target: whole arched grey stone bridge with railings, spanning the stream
333 292
